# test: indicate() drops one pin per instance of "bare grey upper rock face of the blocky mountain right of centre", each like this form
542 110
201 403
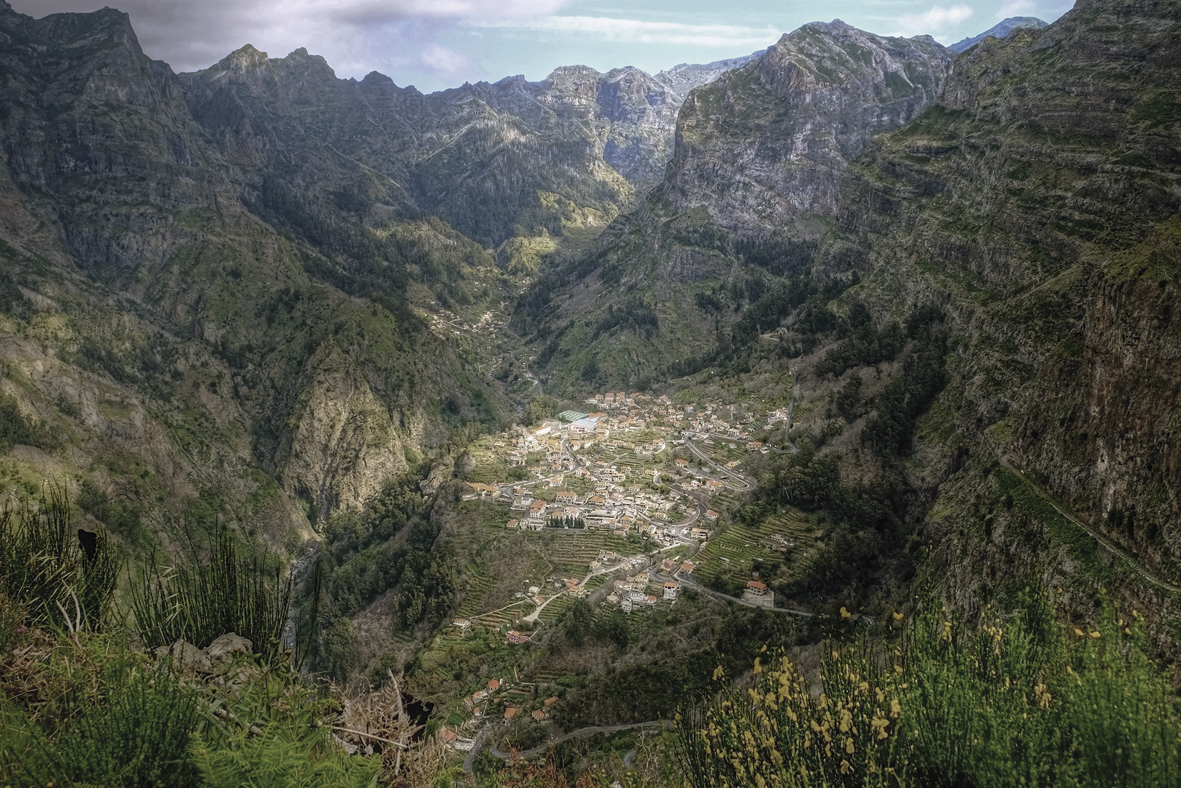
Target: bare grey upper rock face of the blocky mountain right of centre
767 145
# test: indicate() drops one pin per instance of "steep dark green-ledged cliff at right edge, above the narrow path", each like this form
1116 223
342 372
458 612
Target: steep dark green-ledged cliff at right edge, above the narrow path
1040 203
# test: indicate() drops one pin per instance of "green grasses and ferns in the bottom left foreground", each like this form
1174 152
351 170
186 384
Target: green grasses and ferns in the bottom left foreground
82 704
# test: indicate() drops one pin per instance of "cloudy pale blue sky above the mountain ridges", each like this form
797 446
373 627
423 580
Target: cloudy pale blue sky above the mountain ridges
435 44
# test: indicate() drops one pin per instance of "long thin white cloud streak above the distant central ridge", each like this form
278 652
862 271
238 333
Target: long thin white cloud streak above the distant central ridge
631 31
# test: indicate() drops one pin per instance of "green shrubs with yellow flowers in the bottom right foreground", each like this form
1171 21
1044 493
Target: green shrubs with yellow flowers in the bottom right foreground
1010 701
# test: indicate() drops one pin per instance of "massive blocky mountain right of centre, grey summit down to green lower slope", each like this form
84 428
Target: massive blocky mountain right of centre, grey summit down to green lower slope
756 174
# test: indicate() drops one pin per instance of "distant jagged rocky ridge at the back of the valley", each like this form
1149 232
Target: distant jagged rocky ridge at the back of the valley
481 157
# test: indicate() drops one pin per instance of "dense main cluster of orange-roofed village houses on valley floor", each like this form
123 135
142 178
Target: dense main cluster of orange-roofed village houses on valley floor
614 470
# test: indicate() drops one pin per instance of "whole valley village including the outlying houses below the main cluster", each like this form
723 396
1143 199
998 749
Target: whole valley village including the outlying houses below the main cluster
643 472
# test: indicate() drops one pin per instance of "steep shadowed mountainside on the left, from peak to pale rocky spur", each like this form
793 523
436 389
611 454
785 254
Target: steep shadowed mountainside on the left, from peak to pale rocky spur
178 283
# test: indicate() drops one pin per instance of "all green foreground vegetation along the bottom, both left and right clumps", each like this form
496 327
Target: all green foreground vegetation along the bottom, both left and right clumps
1015 698
